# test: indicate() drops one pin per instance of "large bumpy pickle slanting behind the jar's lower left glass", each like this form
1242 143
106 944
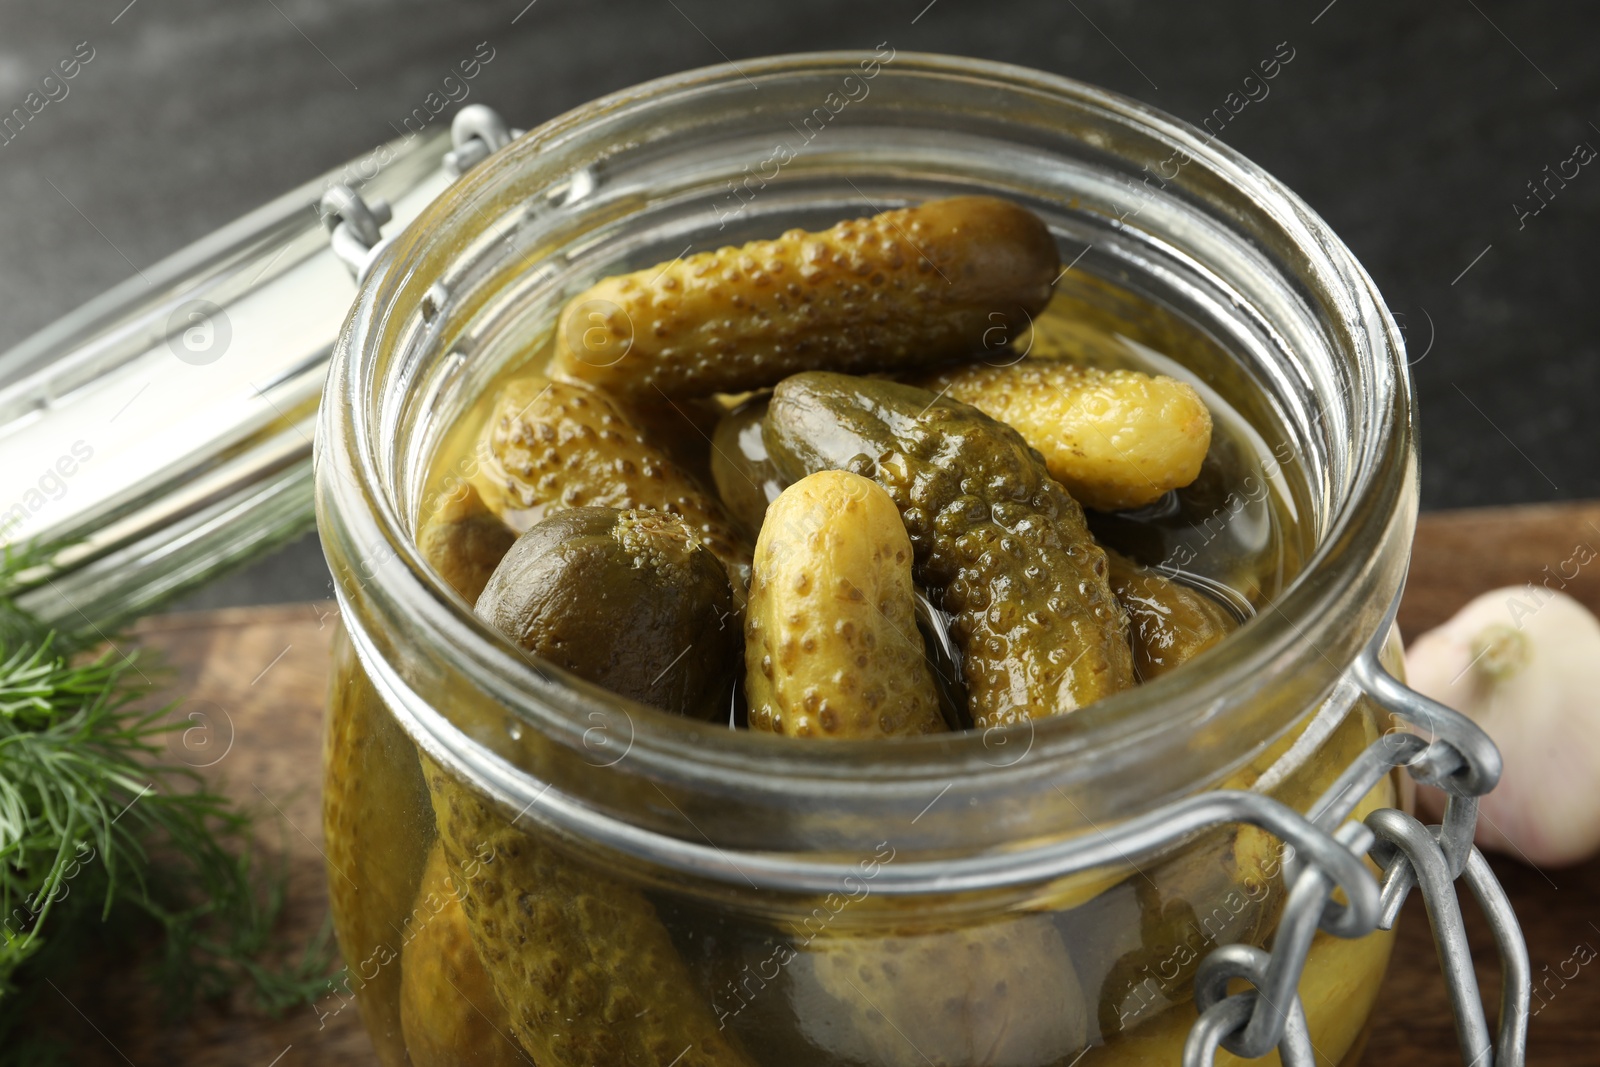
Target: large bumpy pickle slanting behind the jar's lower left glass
583 964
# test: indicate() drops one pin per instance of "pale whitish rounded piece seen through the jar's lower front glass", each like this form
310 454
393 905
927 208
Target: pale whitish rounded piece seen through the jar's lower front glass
1002 994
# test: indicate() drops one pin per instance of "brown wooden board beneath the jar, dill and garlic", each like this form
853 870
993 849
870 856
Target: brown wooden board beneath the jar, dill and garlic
260 674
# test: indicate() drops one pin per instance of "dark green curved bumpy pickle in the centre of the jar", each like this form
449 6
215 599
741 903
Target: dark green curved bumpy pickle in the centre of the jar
996 540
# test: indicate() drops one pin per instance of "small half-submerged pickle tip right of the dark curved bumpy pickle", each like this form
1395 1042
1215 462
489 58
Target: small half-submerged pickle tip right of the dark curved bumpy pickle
1169 623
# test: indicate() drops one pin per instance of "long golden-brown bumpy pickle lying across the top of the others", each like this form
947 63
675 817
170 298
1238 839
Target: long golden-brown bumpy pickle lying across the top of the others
898 290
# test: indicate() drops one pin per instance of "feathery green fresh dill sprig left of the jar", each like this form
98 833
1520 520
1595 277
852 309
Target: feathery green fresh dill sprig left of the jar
97 821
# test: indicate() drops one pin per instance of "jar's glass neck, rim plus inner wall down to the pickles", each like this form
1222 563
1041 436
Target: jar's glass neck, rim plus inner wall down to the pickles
617 182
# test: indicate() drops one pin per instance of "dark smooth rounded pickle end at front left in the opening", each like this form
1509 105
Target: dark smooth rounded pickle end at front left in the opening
631 601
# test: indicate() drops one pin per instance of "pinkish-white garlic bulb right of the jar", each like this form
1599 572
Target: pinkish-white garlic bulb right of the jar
1524 663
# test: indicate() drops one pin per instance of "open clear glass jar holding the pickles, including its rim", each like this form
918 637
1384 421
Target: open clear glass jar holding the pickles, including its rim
649 890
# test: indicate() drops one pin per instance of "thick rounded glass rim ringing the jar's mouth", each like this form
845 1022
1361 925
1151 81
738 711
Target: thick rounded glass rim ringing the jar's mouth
1310 636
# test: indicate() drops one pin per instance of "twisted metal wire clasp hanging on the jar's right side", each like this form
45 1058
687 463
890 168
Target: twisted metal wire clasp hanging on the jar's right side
1458 757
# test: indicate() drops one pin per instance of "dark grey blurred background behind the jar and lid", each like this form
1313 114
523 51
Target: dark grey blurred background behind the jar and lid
1414 127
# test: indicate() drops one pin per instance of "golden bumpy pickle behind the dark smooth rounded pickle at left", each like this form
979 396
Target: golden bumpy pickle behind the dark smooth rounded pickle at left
558 446
